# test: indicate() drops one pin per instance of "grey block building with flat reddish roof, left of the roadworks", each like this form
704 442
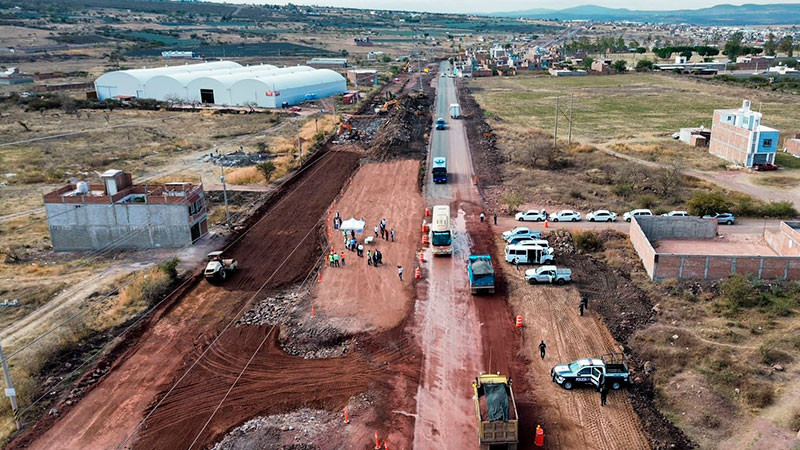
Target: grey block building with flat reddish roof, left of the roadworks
117 214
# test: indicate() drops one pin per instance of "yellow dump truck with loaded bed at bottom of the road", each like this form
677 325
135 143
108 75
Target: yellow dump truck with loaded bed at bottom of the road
499 426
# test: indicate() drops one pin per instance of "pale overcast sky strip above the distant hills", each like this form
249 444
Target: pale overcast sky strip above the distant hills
471 6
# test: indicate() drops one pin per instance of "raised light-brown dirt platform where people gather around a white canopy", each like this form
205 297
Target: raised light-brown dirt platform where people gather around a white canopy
363 297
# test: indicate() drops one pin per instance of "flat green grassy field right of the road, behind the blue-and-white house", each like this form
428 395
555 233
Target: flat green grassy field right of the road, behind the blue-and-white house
624 106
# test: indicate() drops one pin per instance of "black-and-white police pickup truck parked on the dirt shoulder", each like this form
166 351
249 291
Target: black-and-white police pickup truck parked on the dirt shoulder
610 368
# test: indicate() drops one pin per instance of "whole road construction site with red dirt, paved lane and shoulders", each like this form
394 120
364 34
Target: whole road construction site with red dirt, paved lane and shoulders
290 347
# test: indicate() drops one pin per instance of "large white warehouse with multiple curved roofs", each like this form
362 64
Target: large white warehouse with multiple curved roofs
224 83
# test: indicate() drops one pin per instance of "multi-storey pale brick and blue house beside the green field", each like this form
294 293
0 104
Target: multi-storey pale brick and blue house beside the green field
738 136
